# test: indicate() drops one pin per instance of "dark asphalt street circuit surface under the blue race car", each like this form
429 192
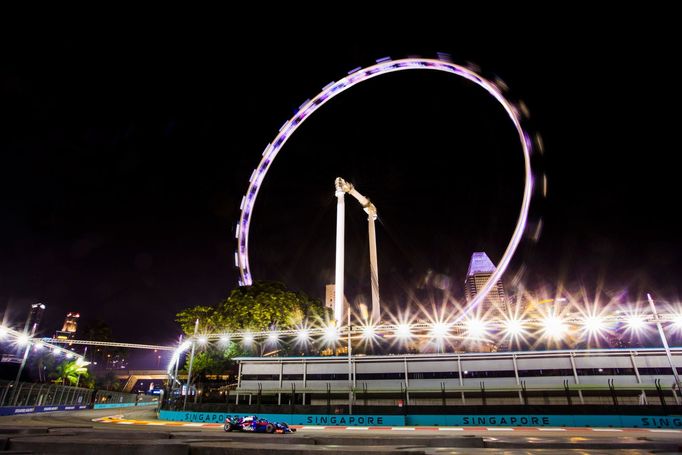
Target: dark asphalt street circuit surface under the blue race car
138 431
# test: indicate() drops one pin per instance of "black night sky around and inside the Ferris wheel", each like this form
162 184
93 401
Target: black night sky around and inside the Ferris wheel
124 158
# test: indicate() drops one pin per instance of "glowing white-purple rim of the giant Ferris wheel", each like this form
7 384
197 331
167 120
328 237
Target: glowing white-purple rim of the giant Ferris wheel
356 76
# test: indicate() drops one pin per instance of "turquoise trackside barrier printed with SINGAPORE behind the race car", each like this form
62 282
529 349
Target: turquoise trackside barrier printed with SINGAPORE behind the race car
444 420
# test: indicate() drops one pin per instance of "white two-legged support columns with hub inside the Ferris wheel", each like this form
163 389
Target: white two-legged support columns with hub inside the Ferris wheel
343 187
